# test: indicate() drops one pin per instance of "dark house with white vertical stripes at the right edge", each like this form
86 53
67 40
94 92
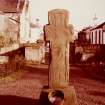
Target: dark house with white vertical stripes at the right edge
94 35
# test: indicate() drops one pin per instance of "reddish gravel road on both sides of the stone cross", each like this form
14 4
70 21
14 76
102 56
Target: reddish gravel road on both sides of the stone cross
26 90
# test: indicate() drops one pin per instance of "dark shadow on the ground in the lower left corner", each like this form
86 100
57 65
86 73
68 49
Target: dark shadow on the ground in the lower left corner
16 100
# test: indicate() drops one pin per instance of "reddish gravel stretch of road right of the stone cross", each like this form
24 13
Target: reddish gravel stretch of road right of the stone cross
89 91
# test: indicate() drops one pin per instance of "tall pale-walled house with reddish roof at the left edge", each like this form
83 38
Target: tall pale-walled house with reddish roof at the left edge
13 18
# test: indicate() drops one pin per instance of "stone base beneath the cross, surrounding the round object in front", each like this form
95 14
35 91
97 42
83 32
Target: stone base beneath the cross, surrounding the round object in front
69 96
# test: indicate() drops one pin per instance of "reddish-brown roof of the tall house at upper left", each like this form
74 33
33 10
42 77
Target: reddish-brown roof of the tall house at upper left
11 5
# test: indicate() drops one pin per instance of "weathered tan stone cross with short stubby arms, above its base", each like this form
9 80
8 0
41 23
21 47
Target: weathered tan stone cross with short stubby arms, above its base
59 33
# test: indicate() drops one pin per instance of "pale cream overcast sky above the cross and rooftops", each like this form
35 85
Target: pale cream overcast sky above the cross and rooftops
81 11
